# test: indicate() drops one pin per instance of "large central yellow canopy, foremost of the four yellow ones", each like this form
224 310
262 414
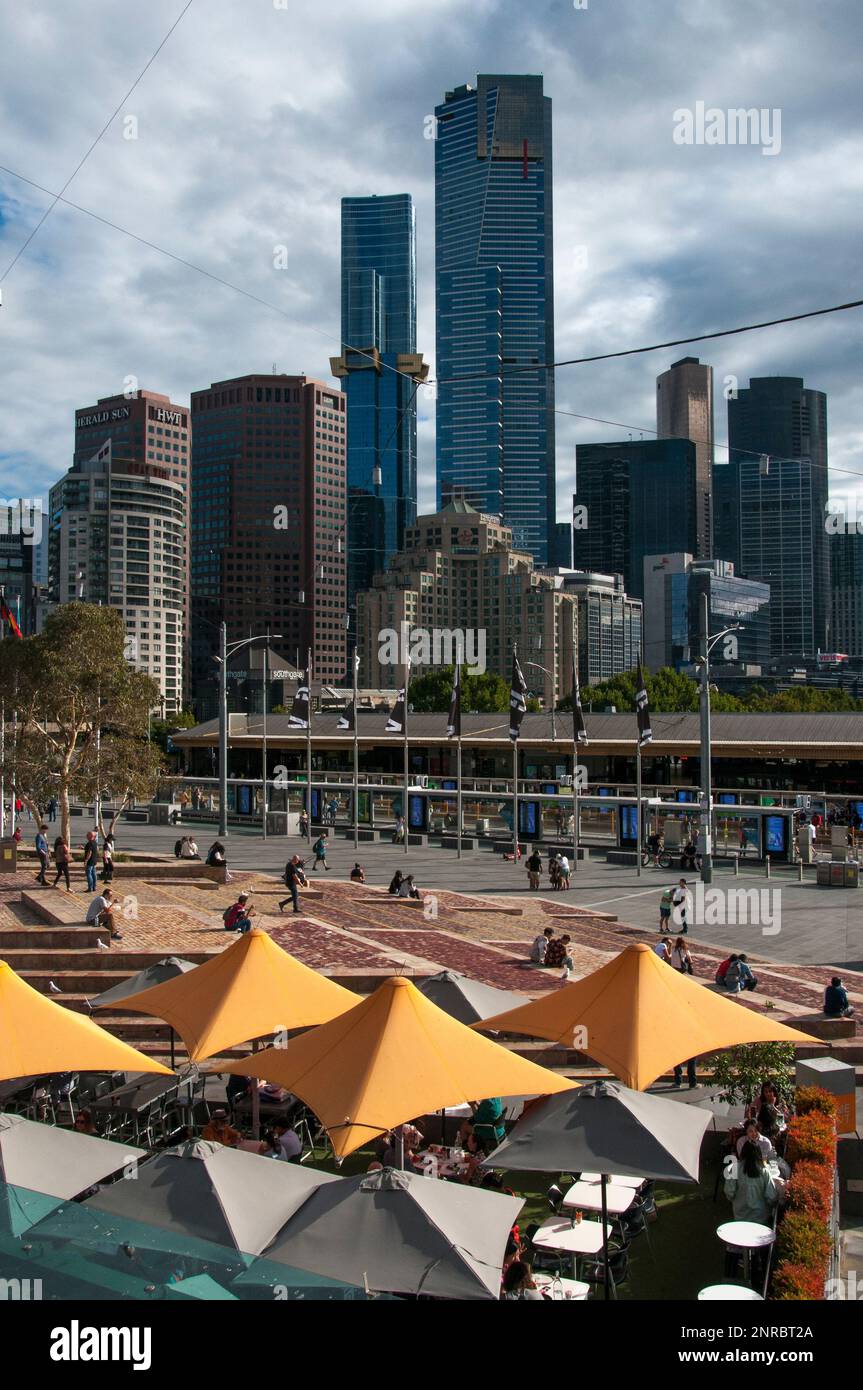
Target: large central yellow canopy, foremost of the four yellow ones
393 1057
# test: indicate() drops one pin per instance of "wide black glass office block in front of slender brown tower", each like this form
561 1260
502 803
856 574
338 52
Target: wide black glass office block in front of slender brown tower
632 501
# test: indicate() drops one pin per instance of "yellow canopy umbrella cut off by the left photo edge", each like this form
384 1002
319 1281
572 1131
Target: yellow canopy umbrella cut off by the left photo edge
40 1038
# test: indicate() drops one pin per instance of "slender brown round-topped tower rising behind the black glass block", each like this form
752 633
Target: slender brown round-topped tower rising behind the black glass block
684 411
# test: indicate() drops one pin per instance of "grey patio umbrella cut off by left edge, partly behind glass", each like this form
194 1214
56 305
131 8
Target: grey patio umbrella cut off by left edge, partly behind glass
42 1167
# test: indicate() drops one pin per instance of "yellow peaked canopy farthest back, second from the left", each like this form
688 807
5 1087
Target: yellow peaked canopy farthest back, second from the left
248 992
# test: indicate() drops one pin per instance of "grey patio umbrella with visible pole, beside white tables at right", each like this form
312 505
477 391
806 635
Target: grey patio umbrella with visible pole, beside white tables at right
608 1129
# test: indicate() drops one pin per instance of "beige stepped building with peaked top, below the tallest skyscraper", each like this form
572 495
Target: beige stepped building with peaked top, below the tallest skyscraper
461 573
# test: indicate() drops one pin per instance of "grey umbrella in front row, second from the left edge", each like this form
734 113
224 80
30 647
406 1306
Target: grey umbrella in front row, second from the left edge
206 1192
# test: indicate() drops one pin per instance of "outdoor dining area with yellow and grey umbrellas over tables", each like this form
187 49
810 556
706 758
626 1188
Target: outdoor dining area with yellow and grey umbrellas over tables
418 1156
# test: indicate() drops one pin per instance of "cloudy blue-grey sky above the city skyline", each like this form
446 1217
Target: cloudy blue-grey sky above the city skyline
258 116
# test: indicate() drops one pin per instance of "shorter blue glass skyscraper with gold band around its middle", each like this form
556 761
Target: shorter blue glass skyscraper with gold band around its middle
380 370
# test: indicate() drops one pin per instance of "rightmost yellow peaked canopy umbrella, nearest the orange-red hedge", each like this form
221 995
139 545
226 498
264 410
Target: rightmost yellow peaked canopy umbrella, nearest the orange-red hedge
639 1018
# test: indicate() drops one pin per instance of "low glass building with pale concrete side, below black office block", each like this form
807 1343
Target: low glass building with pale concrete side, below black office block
673 591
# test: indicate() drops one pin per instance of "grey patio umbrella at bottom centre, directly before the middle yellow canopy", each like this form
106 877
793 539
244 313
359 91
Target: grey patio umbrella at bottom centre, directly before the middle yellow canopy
401 1234
